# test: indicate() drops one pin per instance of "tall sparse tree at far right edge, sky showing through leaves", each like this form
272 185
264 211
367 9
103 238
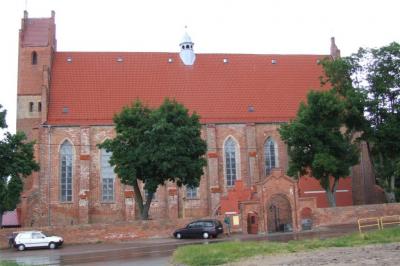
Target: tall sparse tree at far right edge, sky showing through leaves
377 72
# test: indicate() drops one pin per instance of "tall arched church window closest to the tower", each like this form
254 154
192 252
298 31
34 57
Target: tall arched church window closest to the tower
66 167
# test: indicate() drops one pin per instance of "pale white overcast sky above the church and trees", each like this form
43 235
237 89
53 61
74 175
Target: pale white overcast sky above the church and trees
216 26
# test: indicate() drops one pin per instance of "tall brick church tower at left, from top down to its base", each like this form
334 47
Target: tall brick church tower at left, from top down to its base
37 45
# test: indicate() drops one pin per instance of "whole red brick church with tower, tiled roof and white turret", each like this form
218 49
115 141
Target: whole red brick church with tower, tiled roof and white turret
66 102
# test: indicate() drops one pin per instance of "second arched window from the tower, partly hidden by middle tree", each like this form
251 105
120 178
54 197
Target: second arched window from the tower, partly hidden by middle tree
107 176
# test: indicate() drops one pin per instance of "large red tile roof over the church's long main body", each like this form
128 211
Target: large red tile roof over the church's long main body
94 85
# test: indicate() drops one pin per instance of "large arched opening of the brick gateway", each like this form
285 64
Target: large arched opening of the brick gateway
279 214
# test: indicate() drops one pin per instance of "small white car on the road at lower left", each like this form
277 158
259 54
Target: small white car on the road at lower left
35 239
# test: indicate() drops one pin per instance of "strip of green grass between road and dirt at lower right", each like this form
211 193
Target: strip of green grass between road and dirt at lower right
220 253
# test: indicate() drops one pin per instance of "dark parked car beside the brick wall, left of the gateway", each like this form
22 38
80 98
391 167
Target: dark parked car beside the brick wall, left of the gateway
200 228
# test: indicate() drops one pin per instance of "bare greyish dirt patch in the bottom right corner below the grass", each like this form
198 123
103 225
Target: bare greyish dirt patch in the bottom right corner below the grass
386 254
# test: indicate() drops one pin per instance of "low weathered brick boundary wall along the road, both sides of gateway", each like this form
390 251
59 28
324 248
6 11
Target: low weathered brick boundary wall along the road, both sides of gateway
126 231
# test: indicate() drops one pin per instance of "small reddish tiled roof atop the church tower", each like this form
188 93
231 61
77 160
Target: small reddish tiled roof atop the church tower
36 31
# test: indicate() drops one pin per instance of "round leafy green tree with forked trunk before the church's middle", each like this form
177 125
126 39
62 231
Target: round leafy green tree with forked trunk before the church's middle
155 146
